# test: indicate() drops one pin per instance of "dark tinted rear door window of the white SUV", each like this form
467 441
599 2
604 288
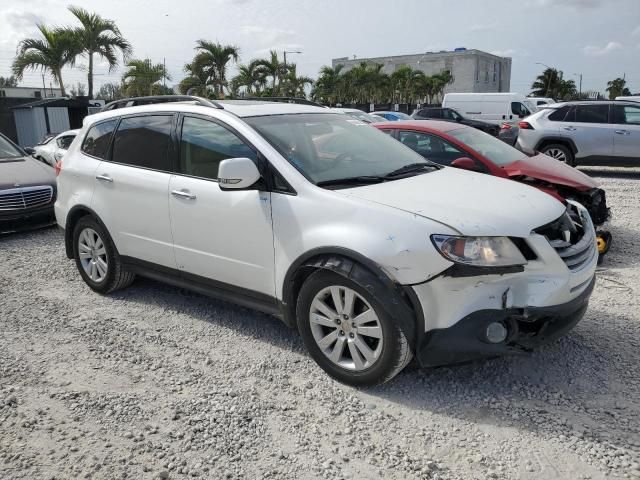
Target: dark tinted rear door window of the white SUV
144 142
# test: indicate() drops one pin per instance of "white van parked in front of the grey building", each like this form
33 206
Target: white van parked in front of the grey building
494 108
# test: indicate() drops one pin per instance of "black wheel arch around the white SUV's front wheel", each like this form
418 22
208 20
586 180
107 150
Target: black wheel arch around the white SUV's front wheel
400 301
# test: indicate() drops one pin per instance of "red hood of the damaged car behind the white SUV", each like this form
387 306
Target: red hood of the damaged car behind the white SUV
547 169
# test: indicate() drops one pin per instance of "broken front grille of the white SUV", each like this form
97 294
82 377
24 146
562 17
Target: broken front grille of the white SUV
580 247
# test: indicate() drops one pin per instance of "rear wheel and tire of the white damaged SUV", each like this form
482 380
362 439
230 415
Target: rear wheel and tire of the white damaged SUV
107 275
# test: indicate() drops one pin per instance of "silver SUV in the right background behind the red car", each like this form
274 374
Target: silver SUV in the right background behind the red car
585 133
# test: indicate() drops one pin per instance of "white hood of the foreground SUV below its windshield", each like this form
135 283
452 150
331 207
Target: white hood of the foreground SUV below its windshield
471 203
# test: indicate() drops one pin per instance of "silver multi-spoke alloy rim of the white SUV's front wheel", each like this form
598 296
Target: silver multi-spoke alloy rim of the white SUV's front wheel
346 328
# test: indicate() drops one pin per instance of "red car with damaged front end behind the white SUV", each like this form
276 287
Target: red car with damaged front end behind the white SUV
465 147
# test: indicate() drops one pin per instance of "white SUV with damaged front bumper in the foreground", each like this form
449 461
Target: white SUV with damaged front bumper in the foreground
373 253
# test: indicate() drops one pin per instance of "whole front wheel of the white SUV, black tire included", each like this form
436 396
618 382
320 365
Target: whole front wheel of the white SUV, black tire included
385 344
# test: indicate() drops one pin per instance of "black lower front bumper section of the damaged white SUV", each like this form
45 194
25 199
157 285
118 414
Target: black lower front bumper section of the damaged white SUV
525 329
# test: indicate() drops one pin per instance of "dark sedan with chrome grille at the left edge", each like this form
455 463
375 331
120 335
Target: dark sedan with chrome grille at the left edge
27 190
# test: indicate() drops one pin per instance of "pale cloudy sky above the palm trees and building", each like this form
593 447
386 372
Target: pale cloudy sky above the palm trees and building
599 39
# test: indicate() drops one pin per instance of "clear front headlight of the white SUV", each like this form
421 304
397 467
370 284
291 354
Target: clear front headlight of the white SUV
479 251
